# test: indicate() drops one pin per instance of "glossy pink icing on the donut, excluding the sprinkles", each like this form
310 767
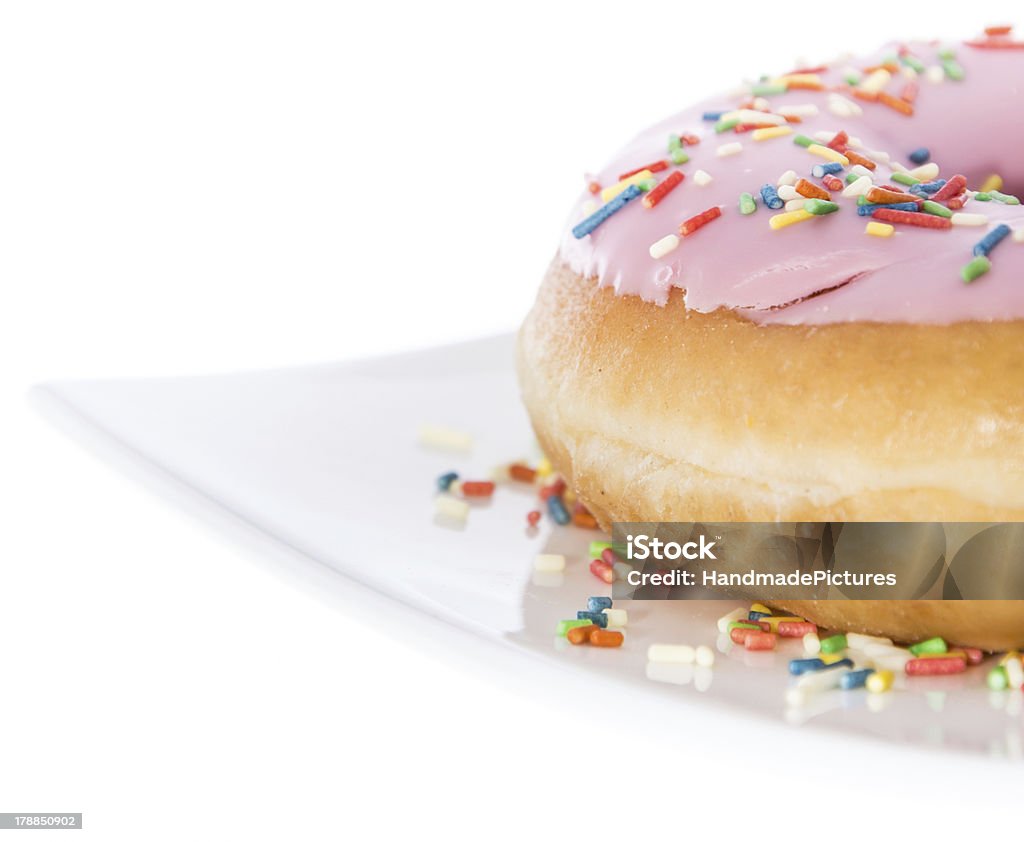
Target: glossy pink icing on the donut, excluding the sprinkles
827 270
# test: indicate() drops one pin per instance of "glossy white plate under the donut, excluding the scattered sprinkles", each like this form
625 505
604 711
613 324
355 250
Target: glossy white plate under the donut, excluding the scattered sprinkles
325 461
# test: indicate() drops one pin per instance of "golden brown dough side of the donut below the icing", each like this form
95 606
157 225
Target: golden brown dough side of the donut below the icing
662 414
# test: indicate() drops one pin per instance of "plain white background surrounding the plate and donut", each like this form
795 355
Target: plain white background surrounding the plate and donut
202 187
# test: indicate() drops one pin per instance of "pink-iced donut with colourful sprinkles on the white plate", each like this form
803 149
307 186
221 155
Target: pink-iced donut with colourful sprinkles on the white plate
804 301
